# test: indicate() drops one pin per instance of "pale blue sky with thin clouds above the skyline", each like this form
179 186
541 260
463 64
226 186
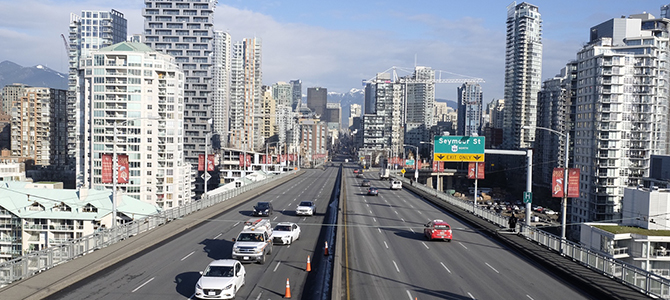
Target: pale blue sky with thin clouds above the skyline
338 44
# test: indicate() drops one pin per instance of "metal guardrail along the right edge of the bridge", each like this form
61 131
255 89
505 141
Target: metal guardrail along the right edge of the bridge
646 282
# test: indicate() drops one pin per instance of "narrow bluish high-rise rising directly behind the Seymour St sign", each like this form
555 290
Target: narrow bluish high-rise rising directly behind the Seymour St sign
469 122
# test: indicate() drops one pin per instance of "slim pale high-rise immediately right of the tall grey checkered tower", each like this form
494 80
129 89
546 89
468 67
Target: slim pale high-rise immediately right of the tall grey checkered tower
221 69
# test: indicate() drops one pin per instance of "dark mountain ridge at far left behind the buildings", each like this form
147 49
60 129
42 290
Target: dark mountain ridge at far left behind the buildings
37 76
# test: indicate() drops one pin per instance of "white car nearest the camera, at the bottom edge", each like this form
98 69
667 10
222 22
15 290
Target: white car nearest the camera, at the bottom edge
221 280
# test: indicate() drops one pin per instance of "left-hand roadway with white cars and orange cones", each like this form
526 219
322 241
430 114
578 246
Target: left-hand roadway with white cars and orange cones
170 270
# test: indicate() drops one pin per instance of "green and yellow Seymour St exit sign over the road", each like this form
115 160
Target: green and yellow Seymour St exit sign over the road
458 148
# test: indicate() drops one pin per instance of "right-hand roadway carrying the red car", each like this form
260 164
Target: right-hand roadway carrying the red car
389 257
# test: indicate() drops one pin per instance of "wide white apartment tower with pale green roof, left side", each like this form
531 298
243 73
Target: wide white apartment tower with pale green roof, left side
135 95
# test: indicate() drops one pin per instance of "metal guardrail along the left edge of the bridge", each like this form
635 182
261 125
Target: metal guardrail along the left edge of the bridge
35 262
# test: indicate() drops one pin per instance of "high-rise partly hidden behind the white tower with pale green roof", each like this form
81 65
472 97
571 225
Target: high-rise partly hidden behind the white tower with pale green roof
89 31
